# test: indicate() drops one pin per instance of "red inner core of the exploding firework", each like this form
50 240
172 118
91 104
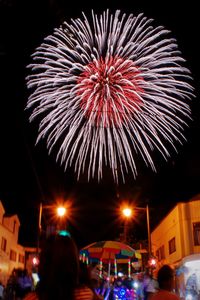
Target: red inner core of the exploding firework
110 91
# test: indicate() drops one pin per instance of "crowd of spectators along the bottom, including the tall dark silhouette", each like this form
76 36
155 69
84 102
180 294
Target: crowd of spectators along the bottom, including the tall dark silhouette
62 276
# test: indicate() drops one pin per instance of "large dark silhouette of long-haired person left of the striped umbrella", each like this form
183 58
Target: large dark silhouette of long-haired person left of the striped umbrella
58 270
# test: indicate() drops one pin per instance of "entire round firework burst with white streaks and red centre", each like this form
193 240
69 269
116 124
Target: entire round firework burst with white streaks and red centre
107 90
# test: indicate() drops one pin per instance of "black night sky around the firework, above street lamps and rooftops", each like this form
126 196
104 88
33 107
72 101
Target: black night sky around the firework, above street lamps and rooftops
29 175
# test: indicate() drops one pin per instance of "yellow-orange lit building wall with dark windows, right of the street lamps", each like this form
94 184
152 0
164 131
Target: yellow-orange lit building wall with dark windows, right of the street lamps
178 234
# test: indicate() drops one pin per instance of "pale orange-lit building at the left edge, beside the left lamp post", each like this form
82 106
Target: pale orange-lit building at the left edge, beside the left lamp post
12 255
